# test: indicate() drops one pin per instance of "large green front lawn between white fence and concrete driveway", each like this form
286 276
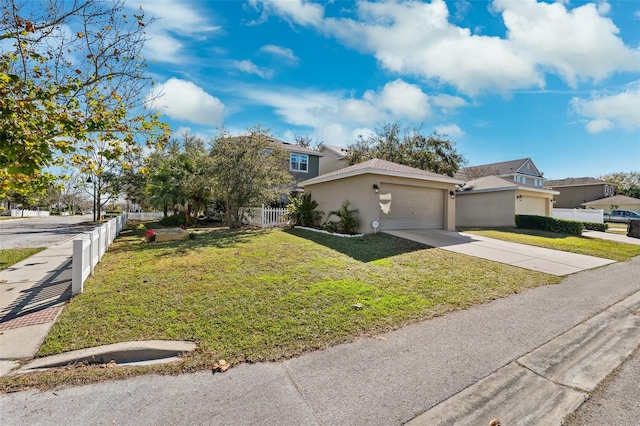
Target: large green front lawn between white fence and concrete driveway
253 296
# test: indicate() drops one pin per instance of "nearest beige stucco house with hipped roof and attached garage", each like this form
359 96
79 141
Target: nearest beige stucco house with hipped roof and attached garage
392 195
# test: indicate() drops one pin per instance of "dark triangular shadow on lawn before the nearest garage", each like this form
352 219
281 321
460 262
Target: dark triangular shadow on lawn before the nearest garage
365 249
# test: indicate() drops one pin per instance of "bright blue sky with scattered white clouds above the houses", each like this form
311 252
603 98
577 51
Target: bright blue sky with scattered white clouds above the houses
555 81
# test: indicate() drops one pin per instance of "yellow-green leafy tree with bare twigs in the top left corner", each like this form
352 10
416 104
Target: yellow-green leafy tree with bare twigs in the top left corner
73 84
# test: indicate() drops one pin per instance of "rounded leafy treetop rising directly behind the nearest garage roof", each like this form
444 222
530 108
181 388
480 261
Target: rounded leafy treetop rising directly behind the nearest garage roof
409 147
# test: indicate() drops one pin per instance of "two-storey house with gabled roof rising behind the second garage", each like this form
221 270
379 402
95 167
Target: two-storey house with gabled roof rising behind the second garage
522 171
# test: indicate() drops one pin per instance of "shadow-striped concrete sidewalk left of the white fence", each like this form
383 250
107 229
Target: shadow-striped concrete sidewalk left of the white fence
32 293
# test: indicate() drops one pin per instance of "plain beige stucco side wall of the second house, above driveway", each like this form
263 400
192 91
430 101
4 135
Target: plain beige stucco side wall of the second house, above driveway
485 209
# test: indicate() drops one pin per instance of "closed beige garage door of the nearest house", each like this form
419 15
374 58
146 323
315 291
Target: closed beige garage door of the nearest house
411 207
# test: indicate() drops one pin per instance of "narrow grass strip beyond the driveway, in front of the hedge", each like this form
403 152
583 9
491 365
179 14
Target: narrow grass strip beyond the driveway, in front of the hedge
606 249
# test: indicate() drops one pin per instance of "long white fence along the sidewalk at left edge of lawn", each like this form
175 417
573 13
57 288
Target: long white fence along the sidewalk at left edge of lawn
89 249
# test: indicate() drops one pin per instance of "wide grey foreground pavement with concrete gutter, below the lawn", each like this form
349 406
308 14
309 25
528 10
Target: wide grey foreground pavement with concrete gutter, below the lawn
529 358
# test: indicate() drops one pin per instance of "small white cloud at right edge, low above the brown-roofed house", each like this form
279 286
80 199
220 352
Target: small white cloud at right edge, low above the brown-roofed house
605 112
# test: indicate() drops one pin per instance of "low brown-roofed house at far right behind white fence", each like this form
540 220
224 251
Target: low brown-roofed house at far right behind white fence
574 192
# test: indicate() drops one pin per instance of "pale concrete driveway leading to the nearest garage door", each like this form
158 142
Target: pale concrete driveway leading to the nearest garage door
540 259
